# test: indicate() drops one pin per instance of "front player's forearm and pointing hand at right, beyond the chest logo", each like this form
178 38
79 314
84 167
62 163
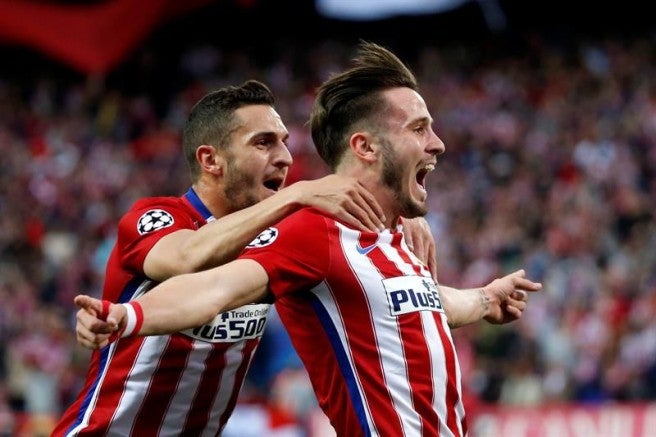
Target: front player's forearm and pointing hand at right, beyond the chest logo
501 301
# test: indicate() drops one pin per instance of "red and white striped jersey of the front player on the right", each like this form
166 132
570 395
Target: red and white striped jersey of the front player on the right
366 319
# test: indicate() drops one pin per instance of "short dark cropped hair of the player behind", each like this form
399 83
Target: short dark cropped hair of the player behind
212 118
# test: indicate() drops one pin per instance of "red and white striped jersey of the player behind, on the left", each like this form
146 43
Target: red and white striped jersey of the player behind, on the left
181 384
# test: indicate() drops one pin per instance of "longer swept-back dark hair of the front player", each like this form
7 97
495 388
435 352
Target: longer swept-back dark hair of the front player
353 96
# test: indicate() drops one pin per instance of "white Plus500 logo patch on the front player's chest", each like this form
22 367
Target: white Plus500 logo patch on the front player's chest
408 294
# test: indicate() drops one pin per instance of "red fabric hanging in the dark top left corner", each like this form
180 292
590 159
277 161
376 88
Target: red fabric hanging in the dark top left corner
90 38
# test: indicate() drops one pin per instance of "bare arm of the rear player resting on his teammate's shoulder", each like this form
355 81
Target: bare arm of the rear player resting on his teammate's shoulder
220 241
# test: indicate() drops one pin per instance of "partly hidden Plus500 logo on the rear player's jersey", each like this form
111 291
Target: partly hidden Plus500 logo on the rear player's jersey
243 323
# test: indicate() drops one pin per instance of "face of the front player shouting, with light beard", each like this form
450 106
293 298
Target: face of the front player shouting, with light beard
409 150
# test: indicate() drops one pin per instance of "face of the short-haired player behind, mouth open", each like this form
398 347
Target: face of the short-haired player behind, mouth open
257 160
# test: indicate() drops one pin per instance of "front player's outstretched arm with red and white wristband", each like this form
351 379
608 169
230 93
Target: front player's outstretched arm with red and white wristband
170 307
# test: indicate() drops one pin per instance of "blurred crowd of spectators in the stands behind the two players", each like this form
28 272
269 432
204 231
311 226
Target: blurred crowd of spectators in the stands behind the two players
550 165
